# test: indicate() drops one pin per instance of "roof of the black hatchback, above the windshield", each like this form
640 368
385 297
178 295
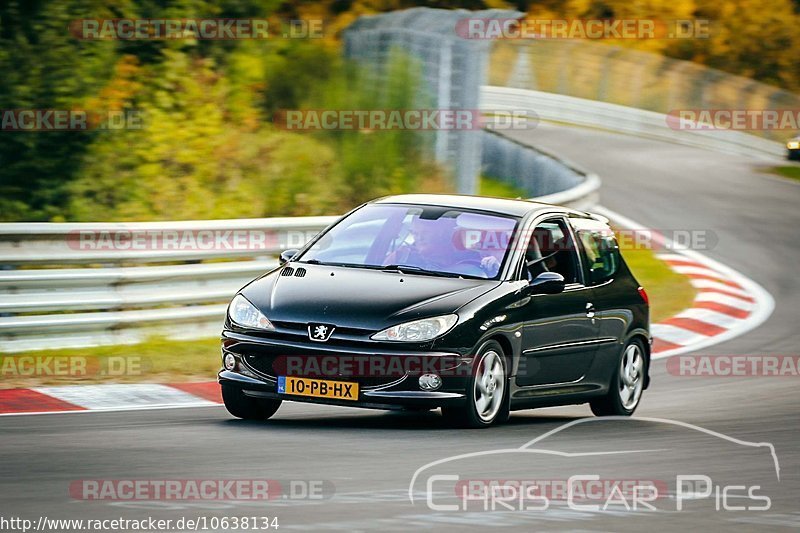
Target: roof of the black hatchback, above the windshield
505 206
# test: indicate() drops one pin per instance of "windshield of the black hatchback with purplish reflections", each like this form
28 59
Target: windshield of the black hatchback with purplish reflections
426 240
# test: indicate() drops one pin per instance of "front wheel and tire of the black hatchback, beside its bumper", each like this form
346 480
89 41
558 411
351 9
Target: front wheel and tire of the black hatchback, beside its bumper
487 391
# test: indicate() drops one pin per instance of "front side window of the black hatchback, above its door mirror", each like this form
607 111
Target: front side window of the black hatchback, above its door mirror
550 249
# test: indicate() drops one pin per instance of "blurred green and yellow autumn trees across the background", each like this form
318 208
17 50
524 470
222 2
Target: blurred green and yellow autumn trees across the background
208 147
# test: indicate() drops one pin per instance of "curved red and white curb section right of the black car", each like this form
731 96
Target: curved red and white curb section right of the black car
728 304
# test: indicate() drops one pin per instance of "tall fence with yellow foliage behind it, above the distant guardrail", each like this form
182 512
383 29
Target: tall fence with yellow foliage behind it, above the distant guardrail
592 71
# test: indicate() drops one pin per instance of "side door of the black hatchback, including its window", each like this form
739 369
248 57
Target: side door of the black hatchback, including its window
560 332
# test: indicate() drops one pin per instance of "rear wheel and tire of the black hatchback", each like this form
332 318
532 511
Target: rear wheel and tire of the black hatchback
627 384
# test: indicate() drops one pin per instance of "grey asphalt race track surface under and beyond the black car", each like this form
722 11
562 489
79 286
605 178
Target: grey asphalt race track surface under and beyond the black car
369 458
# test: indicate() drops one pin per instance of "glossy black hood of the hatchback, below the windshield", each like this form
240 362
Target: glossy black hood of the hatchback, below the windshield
359 298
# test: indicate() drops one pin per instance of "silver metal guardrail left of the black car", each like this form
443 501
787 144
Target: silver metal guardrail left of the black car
124 291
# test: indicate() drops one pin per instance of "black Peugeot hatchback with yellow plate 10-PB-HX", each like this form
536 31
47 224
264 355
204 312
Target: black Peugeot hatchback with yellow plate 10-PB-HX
479 306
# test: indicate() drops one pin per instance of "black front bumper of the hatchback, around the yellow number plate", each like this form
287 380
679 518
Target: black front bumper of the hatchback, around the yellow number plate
257 356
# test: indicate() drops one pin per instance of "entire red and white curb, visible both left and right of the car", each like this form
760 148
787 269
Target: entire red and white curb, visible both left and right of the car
727 305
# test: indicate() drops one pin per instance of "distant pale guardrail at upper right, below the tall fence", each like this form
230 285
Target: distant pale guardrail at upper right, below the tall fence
618 118
